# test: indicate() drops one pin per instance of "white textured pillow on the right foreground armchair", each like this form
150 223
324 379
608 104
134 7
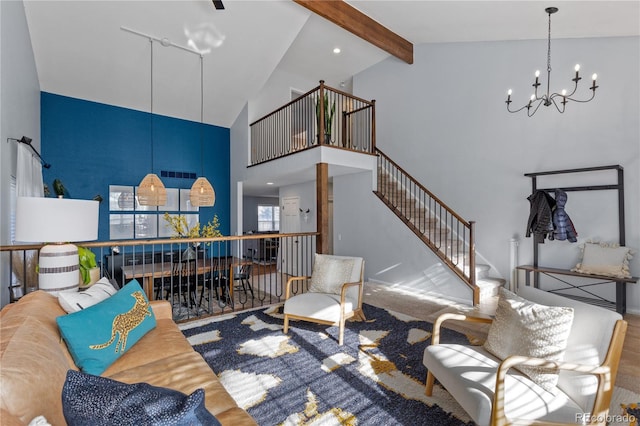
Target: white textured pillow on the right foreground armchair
525 328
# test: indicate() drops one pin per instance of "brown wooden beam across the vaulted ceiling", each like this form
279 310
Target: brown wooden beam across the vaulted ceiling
357 23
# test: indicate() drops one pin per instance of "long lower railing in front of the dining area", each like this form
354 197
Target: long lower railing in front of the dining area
200 277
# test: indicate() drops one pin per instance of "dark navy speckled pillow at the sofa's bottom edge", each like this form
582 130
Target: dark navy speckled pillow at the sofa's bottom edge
98 401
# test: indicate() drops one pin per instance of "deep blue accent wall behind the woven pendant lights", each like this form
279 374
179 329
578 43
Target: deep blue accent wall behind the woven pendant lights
92 145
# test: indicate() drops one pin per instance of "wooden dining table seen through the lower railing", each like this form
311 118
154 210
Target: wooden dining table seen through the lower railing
148 272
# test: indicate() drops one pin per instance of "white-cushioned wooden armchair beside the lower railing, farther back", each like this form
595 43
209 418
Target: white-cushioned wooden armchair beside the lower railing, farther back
334 295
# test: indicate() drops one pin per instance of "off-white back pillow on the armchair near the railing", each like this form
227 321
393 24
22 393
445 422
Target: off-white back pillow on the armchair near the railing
330 273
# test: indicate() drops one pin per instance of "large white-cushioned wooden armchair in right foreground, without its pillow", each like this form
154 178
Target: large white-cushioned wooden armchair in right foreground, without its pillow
493 392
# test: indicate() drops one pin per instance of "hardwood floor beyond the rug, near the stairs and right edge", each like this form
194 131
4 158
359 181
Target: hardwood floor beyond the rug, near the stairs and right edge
427 308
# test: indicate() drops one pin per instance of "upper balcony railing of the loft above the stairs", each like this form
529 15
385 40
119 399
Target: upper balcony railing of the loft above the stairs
322 116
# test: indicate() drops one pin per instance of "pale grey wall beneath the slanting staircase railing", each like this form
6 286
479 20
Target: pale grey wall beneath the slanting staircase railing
364 226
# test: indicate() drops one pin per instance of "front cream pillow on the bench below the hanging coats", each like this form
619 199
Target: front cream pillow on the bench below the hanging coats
604 259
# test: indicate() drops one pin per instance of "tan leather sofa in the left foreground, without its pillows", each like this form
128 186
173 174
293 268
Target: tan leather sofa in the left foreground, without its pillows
34 363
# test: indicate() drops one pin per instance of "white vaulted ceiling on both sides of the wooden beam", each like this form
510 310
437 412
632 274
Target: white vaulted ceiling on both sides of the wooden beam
81 51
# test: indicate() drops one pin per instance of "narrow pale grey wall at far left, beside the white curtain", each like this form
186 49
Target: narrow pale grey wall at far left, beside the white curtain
19 110
